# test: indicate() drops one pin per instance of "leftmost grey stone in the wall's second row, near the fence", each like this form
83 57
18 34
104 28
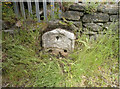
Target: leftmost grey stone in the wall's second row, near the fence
72 15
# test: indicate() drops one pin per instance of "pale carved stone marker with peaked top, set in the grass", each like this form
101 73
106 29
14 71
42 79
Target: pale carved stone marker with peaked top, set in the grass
58 41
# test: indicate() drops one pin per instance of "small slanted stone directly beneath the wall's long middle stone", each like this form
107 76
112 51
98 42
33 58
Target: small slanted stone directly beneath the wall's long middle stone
93 27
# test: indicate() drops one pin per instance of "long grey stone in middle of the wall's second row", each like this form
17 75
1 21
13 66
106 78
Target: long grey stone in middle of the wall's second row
96 17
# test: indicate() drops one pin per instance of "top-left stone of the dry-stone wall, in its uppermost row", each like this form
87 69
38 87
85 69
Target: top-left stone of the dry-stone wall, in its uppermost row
77 7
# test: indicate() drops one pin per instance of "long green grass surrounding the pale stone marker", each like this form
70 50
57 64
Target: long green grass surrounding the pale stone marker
91 64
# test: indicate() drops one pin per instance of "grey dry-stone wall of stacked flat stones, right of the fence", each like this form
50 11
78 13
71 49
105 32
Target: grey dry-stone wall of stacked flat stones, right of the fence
95 23
